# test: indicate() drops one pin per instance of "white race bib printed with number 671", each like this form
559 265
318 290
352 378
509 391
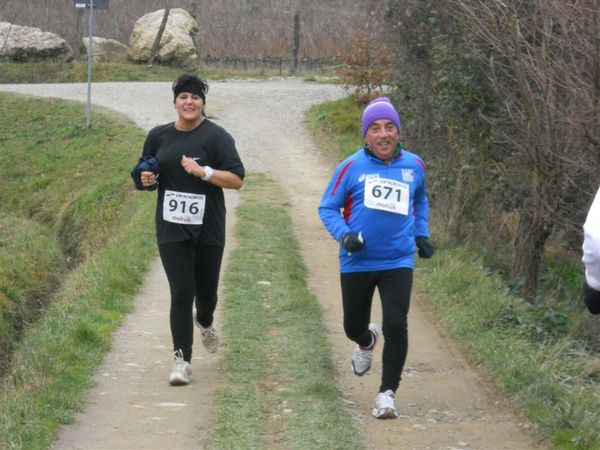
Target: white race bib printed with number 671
386 195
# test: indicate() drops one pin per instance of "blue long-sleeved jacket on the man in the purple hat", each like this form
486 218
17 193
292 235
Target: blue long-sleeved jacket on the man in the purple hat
386 203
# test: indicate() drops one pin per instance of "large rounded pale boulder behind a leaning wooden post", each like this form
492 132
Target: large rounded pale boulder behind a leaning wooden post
178 44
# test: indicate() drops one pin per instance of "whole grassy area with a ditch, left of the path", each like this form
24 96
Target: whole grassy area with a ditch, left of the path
75 241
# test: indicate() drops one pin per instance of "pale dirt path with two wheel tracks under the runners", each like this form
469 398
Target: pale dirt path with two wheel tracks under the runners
443 402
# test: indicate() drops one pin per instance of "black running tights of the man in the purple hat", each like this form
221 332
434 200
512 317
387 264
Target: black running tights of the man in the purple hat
394 290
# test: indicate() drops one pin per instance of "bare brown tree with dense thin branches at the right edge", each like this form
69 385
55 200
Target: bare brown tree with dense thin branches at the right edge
529 48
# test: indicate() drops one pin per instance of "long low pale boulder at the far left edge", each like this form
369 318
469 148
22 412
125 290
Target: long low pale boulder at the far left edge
28 44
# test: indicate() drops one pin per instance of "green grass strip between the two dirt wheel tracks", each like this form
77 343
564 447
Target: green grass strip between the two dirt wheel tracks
280 389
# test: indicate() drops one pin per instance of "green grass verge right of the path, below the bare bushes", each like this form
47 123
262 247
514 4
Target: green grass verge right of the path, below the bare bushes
543 374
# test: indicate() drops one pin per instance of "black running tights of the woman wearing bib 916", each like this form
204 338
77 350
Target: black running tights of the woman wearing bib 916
193 272
